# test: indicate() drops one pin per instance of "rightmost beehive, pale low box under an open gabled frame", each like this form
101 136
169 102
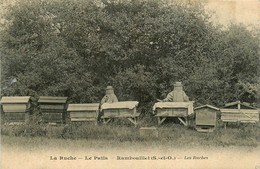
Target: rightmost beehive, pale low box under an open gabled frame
239 112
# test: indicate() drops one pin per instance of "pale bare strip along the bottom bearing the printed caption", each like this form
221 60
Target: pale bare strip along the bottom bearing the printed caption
40 154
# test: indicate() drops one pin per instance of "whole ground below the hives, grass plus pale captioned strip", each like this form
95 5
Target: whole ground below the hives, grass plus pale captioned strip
33 146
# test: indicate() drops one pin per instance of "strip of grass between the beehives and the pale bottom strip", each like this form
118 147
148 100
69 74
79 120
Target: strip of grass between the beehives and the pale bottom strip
173 134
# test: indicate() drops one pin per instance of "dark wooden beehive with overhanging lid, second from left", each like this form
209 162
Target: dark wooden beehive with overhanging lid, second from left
53 109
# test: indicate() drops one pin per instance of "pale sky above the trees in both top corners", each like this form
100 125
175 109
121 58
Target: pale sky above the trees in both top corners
224 11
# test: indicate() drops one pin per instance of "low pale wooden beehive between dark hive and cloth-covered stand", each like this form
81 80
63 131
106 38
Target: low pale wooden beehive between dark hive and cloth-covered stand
83 112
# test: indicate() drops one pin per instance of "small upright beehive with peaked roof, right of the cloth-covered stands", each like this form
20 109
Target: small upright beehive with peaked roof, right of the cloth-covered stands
206 118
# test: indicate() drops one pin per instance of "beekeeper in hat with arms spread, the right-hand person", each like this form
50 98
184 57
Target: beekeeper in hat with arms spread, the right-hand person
177 95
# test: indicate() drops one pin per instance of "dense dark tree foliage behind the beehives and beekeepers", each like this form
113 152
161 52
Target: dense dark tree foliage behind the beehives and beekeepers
76 48
